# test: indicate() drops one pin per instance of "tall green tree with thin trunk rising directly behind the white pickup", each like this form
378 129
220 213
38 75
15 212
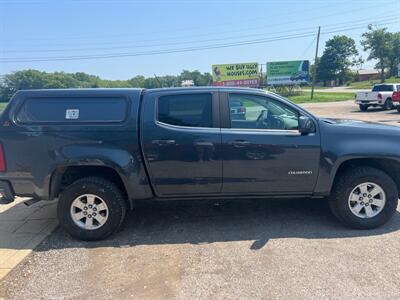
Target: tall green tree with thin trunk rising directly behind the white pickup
378 42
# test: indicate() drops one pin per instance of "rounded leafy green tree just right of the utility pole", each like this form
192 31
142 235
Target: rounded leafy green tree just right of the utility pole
339 55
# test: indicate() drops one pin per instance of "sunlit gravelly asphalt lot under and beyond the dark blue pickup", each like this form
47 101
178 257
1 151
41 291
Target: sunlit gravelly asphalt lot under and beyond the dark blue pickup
243 249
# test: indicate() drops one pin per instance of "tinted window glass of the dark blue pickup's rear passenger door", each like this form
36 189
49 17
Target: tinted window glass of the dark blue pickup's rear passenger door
193 110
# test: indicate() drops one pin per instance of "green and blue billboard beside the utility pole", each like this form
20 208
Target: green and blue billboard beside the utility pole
288 72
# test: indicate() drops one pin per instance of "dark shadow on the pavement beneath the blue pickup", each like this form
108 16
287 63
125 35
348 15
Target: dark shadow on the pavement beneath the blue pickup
210 221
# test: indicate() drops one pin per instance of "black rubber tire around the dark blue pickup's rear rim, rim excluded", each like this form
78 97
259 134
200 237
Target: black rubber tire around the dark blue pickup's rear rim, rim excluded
102 188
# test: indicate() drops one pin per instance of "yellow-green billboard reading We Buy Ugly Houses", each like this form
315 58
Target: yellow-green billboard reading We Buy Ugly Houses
244 74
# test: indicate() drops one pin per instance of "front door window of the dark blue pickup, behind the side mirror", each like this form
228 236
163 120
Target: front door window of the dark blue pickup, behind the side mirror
257 112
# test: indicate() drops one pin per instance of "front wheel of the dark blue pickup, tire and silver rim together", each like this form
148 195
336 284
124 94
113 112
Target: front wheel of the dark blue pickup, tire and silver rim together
364 198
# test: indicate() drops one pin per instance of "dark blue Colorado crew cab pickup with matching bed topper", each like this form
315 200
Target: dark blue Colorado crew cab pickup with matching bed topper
99 151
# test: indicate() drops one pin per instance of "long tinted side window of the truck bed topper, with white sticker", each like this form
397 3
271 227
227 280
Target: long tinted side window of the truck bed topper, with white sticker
73 110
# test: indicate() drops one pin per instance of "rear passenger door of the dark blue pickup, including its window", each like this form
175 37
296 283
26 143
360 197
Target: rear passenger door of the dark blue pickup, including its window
181 141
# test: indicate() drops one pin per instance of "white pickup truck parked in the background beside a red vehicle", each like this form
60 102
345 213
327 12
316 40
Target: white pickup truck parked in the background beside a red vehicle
385 95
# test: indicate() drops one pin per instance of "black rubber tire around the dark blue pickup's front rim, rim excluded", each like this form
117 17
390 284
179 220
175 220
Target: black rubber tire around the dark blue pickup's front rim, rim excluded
345 184
